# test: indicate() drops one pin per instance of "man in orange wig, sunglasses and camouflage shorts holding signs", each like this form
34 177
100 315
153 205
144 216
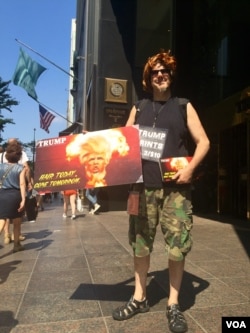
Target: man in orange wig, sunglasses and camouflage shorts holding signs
164 203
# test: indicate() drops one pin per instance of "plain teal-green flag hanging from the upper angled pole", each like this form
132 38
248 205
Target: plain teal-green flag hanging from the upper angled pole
27 73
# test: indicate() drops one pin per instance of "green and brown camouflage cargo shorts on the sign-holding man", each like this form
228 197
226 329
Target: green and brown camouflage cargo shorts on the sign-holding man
172 209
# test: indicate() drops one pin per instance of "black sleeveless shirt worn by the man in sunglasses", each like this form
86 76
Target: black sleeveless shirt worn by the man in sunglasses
172 116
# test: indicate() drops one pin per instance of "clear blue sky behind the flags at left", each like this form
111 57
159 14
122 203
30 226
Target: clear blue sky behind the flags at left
44 26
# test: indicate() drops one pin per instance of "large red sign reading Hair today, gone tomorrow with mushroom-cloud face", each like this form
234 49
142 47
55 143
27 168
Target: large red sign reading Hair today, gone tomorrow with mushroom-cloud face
95 159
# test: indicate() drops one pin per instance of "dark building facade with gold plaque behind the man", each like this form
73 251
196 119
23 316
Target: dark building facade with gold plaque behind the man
114 38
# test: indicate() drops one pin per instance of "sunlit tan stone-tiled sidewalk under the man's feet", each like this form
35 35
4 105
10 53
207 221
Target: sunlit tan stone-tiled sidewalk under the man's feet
74 272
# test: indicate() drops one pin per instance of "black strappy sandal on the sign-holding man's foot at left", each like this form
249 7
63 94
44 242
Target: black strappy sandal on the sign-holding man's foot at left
130 309
